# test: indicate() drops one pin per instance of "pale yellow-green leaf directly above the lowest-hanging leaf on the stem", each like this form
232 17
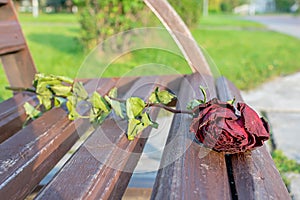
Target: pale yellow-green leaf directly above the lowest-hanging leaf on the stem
134 107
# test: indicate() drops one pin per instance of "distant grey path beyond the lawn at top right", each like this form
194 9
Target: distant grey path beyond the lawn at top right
287 24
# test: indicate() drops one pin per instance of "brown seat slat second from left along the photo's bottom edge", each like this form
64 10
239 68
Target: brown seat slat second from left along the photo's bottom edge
105 161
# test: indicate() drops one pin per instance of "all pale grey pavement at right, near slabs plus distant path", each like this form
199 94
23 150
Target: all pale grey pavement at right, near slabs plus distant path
280 99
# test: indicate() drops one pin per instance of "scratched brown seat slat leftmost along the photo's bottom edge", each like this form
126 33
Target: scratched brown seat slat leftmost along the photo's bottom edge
30 154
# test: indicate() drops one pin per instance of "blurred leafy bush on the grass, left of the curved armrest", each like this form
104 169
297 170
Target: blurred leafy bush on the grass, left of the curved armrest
100 19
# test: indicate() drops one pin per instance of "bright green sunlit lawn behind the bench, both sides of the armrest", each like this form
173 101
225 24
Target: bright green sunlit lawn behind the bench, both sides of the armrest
243 51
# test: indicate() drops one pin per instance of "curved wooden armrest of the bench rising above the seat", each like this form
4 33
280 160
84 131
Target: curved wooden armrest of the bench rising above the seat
181 34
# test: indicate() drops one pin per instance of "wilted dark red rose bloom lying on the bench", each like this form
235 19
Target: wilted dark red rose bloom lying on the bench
218 126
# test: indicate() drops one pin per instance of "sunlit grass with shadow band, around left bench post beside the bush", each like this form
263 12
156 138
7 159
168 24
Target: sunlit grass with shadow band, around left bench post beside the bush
52 40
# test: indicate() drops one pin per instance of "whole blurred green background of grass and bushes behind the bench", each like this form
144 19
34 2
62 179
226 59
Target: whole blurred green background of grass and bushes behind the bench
244 51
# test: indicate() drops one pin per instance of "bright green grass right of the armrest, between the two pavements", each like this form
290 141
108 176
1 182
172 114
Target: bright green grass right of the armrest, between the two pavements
249 58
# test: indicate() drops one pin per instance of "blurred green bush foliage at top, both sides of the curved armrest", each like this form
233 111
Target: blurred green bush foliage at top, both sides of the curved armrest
100 19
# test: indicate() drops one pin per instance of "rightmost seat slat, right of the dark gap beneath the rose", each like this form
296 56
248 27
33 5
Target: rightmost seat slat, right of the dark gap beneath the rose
255 173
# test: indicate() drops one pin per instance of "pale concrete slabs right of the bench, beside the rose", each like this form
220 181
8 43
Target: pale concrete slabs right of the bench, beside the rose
280 99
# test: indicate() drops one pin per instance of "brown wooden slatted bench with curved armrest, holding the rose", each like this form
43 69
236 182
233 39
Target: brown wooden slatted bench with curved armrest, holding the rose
102 166
